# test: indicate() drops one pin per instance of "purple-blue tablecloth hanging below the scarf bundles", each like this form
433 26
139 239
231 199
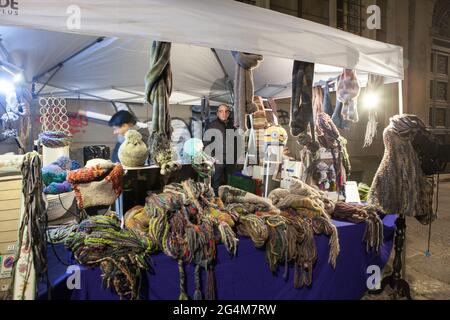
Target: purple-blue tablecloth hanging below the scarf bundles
247 276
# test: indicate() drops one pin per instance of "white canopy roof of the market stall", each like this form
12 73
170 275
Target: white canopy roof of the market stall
115 37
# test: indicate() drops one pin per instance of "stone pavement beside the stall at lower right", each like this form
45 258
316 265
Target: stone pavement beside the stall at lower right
429 277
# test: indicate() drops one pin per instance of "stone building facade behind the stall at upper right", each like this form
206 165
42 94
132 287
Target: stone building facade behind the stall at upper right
422 28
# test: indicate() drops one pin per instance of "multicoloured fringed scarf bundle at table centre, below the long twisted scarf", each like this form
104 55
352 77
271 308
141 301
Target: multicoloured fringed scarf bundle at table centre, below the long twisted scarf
186 224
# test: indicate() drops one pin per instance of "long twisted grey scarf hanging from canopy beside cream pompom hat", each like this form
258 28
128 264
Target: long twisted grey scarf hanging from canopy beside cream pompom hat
158 87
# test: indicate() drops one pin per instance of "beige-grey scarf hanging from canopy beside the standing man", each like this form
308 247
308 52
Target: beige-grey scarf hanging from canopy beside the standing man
243 87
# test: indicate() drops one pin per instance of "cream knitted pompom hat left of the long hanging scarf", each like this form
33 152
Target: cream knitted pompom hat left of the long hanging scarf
133 151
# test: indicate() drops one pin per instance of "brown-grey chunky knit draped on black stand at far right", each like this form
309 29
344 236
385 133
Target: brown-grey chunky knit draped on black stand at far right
399 185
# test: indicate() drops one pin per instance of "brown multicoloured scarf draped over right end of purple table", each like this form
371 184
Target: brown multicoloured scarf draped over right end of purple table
356 213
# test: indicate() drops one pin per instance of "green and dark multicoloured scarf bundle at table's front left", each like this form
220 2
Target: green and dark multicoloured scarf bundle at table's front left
120 254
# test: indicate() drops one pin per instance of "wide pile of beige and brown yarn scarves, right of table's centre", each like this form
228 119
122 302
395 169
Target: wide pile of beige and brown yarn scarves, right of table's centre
285 225
